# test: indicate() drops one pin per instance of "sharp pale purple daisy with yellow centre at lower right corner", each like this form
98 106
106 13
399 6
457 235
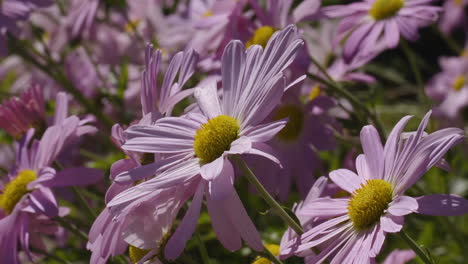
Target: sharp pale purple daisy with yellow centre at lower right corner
355 226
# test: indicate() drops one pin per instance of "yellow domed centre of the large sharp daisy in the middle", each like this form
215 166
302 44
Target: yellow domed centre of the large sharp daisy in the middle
215 137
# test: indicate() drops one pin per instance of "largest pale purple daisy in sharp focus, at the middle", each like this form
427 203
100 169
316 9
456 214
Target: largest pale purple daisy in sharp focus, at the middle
198 144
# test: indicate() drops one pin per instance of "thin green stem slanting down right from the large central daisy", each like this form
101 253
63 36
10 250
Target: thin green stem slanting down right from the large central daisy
277 209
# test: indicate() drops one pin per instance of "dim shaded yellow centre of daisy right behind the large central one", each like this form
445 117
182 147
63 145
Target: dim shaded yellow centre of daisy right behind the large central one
293 128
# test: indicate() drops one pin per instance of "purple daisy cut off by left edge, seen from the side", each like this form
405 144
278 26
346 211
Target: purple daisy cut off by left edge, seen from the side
27 201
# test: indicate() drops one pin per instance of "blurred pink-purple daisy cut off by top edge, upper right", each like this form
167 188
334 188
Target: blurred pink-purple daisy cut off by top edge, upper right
371 26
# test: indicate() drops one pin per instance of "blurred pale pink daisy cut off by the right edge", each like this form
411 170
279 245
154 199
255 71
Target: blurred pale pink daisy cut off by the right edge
450 87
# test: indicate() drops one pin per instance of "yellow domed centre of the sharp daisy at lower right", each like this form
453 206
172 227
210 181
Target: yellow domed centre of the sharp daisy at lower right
369 203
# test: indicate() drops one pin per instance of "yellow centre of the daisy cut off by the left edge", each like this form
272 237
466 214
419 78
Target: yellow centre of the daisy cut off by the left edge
15 189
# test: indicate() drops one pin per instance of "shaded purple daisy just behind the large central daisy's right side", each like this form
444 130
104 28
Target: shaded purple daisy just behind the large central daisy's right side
308 131
